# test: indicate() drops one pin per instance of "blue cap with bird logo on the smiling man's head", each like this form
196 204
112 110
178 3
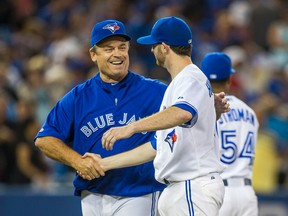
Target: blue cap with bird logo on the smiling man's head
108 28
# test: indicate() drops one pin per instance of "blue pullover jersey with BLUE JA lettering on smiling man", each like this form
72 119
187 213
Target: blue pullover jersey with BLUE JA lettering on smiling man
90 109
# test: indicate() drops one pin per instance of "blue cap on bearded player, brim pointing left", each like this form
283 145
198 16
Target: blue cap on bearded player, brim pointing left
170 30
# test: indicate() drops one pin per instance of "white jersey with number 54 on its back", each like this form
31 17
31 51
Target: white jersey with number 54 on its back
237 131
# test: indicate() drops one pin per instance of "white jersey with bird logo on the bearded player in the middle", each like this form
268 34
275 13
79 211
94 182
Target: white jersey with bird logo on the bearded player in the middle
190 150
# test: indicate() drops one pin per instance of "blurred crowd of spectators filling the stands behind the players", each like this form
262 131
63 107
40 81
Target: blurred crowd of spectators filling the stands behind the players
44 53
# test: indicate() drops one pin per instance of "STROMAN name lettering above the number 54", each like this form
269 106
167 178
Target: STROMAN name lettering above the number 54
237 115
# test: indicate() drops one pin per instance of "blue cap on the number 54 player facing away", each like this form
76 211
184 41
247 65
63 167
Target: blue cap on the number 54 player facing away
217 66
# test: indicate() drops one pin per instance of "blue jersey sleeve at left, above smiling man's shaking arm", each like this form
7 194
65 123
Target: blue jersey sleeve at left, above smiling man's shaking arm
59 122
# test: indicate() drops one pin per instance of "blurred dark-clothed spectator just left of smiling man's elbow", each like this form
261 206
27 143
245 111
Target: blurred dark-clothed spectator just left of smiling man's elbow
30 164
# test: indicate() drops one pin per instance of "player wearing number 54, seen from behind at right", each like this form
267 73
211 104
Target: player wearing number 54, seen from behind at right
237 131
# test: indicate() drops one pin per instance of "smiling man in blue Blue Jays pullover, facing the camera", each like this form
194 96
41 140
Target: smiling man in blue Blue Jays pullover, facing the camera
113 97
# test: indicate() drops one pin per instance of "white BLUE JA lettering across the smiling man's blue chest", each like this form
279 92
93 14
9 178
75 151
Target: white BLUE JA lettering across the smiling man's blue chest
103 121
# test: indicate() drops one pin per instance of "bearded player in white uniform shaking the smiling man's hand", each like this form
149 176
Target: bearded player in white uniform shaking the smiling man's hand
187 155
